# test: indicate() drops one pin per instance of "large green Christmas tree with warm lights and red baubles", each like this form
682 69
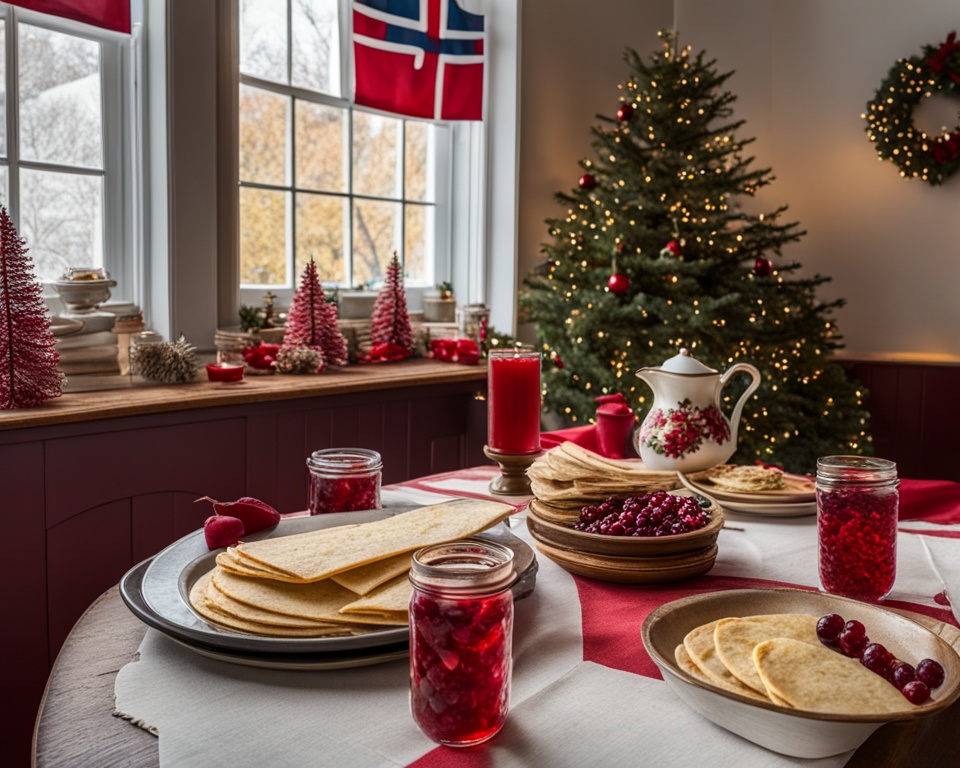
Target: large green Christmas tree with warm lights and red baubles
657 252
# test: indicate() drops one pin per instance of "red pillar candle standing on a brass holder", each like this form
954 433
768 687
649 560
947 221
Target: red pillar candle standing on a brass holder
513 401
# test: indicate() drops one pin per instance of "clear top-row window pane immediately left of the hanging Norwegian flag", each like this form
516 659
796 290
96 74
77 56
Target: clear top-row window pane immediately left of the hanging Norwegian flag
316 45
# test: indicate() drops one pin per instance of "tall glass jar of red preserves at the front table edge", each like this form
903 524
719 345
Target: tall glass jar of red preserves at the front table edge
461 637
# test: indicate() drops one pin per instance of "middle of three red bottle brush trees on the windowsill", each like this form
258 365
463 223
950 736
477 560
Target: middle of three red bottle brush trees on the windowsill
312 323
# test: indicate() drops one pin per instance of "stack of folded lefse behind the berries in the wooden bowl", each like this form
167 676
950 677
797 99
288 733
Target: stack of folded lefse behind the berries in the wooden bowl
570 477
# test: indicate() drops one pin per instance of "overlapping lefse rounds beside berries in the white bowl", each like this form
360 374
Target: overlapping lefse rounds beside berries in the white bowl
779 659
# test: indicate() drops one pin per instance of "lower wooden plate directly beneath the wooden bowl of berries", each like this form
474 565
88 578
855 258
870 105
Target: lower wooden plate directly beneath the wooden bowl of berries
631 570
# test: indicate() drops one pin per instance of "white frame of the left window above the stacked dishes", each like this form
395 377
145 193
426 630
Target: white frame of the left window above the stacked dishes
121 139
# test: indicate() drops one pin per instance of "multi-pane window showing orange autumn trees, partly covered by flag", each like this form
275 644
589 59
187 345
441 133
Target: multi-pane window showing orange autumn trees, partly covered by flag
322 180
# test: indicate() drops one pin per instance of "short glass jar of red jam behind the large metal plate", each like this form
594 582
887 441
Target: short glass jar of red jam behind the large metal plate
344 480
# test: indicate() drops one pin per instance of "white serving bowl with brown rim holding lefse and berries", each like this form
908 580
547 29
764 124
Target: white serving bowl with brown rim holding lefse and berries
795 732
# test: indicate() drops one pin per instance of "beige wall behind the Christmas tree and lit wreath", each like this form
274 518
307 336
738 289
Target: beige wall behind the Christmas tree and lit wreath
803 72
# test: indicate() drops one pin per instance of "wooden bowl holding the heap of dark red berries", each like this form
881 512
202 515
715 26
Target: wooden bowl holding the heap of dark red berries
565 537
